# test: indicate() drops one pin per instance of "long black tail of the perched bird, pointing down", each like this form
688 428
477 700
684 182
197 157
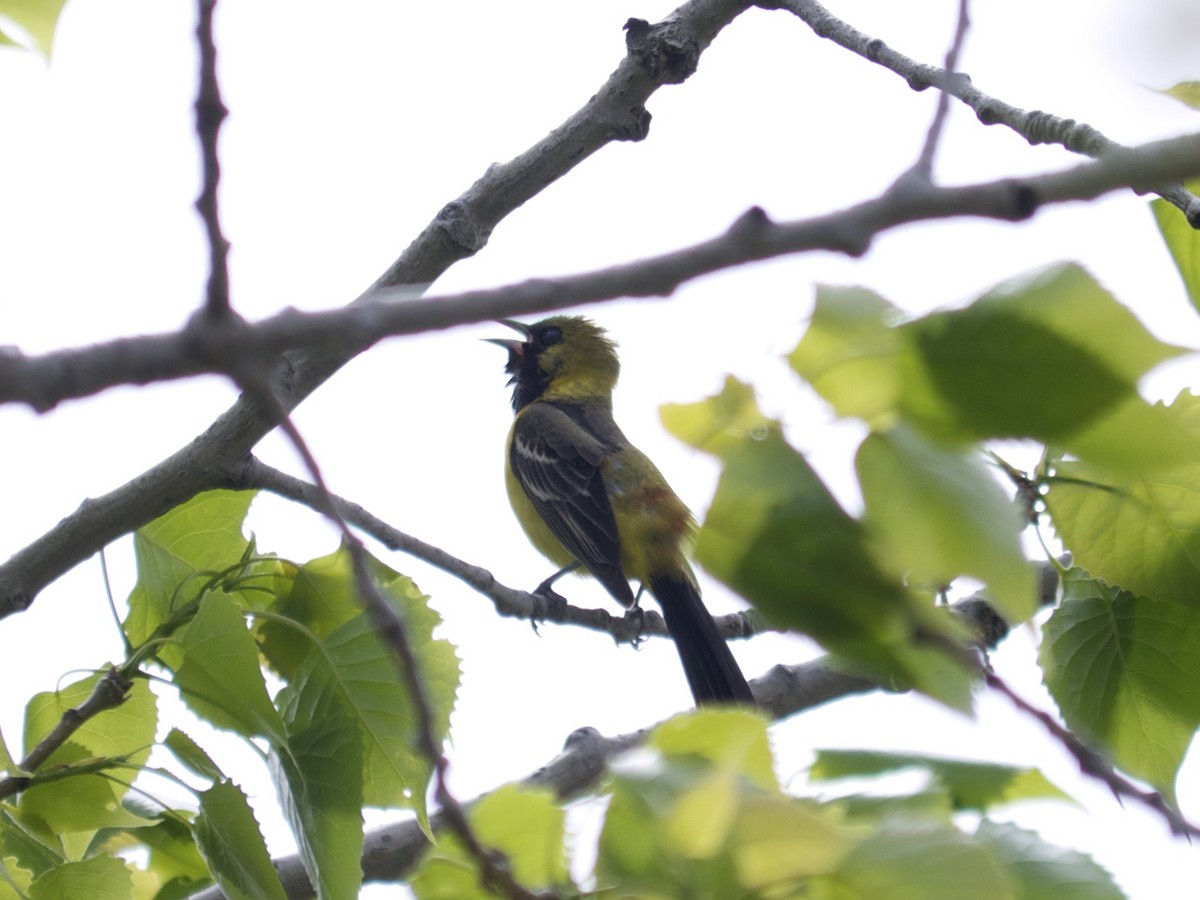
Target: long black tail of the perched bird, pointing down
713 674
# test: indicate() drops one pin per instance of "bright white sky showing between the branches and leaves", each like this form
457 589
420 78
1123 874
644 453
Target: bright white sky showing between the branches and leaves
352 124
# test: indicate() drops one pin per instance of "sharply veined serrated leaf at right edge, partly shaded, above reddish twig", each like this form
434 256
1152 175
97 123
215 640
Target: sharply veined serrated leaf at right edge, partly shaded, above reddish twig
1124 671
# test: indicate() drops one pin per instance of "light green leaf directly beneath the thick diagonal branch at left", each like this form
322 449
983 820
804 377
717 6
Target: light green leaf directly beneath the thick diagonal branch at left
200 538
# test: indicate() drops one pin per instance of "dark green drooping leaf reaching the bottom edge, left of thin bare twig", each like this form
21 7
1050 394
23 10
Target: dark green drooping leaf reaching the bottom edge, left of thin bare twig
319 776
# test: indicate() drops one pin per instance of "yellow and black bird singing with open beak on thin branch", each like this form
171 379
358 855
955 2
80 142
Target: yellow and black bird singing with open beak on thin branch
592 502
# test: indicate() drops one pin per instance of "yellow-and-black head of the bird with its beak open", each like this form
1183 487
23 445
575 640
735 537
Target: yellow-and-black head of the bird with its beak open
562 358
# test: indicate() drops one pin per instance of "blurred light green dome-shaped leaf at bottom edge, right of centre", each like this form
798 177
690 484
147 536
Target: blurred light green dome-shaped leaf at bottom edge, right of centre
907 861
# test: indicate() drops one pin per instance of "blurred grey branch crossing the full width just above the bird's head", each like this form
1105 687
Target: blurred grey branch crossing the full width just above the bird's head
205 347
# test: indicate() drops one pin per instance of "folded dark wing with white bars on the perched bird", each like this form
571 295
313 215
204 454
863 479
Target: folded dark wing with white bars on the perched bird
557 463
